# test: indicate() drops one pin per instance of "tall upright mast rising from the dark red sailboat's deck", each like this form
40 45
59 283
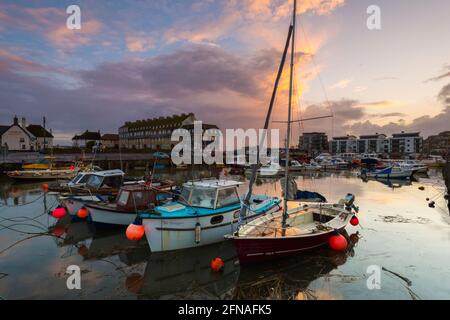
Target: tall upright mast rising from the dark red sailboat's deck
288 134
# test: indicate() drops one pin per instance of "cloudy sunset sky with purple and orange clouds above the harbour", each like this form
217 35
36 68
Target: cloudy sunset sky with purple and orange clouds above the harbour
138 59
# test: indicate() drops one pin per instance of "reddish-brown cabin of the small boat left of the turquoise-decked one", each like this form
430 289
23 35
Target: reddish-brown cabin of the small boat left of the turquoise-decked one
136 197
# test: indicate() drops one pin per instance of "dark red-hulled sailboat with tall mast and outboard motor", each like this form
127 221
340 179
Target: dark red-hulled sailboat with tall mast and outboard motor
289 231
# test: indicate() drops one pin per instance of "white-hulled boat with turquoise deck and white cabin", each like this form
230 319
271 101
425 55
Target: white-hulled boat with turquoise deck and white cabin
205 212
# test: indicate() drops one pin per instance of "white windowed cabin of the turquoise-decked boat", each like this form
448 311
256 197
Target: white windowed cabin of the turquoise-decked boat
210 194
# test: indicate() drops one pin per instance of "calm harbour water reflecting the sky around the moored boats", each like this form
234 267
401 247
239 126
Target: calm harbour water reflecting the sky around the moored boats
399 235
